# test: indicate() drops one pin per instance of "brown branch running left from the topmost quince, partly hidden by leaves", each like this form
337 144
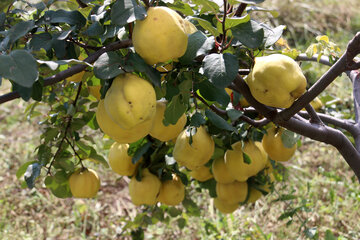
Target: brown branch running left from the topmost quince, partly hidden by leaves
73 70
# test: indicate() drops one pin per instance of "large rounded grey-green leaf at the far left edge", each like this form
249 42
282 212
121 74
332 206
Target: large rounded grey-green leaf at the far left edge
19 66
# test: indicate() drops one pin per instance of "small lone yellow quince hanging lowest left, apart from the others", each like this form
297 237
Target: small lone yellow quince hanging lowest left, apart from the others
84 183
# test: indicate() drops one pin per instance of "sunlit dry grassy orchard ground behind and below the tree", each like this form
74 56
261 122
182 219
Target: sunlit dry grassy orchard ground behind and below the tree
317 175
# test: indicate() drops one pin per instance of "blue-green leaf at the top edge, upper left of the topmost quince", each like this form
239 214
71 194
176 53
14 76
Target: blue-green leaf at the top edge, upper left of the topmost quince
127 11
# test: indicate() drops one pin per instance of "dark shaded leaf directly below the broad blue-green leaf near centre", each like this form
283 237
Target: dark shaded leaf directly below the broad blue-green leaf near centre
212 93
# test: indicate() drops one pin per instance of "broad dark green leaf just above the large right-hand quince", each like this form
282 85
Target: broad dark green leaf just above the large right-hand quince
250 34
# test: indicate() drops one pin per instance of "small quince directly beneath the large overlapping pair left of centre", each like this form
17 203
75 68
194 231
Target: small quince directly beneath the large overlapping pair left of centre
119 160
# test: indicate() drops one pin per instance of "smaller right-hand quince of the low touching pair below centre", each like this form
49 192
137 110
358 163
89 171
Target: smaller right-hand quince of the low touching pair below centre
172 192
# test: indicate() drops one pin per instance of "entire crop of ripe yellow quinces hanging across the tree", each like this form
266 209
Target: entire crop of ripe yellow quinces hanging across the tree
130 112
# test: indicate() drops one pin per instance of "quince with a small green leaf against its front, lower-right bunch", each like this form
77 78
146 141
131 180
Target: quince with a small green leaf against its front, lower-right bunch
235 164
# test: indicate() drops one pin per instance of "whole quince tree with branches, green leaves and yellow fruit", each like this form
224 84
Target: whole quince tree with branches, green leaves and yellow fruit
102 67
